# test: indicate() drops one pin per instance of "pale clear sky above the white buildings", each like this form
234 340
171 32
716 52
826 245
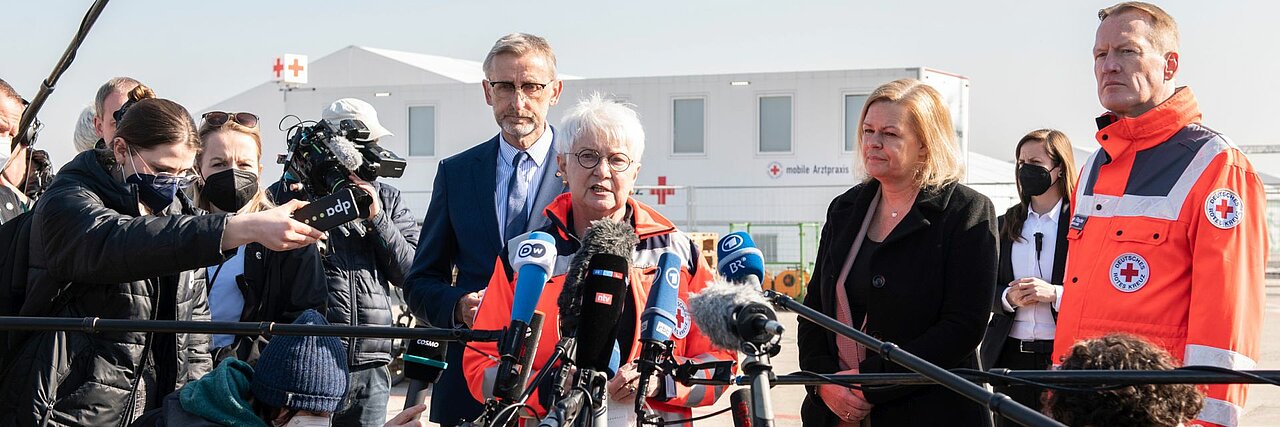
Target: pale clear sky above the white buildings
1030 62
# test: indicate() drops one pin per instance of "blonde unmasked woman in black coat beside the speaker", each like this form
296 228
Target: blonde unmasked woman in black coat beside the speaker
908 256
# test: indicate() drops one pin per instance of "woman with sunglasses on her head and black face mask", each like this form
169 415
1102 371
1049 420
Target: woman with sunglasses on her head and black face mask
255 284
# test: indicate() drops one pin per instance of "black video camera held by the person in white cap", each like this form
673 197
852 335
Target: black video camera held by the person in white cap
322 158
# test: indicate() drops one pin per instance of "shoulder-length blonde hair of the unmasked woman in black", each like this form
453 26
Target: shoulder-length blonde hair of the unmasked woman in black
931 122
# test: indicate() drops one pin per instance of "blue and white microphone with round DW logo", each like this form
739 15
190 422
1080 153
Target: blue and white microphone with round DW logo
534 260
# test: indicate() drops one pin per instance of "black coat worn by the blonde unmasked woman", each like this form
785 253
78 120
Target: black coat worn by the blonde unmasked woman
931 293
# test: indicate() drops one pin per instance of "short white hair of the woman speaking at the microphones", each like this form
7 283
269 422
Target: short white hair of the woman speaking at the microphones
605 118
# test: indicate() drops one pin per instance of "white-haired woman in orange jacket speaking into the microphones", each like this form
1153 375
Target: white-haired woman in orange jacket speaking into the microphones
600 158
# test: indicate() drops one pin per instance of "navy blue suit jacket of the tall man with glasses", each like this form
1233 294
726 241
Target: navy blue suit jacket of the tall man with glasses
461 232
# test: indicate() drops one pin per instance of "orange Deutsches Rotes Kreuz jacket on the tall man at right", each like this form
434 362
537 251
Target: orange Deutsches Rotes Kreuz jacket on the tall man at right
1169 244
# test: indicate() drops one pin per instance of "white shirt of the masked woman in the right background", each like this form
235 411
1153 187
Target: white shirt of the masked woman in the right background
1036 322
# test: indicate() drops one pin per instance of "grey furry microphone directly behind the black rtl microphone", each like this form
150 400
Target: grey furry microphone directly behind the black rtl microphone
605 237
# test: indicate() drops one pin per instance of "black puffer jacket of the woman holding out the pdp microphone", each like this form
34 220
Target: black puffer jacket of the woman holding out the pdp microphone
94 256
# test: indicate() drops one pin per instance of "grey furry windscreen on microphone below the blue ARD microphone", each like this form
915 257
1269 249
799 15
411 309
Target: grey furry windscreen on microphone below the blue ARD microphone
714 311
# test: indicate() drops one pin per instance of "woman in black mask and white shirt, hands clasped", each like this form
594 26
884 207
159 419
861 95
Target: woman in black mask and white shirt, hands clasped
1028 286
